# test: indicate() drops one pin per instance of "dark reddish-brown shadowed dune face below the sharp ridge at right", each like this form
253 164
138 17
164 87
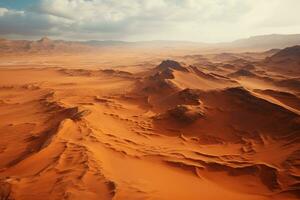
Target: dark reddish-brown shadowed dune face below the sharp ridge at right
234 110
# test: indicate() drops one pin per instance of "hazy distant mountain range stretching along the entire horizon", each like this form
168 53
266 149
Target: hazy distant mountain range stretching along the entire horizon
255 43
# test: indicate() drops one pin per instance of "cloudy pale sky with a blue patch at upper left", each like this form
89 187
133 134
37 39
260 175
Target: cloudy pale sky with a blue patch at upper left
141 20
